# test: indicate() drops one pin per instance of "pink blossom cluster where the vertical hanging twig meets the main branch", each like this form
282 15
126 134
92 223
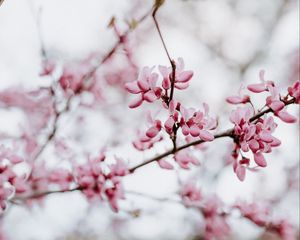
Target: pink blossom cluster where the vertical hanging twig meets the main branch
194 124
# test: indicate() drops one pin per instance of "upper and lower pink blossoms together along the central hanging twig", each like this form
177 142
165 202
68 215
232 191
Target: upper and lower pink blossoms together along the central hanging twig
193 124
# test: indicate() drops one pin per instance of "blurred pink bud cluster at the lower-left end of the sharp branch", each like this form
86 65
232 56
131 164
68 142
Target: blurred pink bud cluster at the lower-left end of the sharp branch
97 180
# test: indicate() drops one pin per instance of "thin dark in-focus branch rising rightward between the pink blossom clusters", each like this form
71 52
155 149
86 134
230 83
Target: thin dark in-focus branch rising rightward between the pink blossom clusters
227 133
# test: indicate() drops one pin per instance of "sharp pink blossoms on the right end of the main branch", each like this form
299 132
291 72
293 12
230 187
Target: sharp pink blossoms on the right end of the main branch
253 133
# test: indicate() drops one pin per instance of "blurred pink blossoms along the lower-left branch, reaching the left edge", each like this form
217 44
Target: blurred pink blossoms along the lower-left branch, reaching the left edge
96 180
